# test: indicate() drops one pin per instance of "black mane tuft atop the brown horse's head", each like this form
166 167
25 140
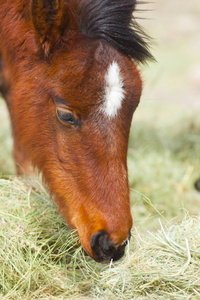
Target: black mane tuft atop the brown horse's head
112 21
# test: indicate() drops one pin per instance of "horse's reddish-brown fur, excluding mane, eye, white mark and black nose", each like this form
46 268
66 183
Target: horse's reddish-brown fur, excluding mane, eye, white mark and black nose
85 167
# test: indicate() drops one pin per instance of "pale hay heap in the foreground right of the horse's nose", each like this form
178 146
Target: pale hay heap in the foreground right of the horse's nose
164 265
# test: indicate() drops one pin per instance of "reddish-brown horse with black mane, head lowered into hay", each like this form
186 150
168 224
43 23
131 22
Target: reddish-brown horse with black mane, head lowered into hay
68 74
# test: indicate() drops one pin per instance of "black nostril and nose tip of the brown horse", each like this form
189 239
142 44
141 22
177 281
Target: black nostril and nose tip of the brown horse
104 248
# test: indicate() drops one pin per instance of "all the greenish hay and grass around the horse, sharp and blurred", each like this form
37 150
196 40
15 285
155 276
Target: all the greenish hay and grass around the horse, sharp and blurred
40 257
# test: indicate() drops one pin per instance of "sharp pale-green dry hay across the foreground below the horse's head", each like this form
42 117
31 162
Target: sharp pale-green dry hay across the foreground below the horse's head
40 259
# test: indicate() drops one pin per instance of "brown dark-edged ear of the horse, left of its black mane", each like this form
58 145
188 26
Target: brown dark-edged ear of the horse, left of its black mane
50 18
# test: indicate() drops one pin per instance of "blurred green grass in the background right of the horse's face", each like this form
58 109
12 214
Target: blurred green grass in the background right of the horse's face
164 162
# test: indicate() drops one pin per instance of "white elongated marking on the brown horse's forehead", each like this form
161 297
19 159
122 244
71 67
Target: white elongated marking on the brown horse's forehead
114 91
